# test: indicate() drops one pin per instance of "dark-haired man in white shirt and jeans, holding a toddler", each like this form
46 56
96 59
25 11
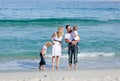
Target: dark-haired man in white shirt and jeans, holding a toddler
72 48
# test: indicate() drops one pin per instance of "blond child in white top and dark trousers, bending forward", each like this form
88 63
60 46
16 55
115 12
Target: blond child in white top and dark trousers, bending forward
42 55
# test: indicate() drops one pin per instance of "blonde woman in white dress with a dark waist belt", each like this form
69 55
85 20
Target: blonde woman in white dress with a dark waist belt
57 46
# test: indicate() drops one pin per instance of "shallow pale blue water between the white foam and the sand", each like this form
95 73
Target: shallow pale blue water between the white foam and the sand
83 63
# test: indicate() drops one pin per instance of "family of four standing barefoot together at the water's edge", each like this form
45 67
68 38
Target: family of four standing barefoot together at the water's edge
71 38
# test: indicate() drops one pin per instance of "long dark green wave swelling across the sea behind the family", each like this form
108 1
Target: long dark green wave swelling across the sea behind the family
59 21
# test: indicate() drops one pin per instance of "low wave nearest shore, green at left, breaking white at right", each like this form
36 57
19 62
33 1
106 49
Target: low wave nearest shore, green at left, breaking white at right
65 55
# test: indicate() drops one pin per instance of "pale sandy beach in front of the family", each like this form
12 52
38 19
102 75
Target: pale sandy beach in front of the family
63 75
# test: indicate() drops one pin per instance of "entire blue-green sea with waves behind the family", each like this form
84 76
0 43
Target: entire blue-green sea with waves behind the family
25 26
